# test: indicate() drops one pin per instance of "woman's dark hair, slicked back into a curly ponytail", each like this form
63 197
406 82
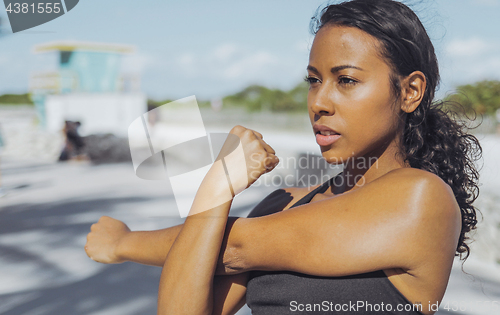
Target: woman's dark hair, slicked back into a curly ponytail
433 138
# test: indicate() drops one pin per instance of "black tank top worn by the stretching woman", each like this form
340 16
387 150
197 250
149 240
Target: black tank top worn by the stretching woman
284 292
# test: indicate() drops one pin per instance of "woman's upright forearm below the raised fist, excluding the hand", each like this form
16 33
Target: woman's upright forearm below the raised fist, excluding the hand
186 282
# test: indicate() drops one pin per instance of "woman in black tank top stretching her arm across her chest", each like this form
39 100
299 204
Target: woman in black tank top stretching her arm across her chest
378 238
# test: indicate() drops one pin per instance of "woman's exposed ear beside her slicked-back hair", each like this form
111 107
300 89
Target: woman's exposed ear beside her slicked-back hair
413 90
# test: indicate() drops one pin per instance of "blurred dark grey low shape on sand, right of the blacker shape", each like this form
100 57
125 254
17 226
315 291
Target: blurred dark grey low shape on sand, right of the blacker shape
107 148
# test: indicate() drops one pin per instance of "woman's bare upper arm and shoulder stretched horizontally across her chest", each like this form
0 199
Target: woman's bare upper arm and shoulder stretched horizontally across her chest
400 220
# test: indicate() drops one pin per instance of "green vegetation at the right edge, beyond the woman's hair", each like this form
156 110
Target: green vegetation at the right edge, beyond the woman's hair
482 97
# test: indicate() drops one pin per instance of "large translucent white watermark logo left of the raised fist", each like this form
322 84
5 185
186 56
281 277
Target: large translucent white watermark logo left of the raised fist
182 151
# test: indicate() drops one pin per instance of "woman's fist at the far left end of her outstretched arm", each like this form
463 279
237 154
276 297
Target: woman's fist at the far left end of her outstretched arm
104 239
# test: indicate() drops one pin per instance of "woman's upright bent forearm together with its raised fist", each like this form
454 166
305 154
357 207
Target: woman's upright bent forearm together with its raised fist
187 277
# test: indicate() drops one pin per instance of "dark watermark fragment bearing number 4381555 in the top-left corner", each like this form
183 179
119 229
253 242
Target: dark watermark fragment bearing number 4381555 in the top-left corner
25 14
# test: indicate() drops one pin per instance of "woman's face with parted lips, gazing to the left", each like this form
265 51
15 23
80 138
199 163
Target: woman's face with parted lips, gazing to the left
350 102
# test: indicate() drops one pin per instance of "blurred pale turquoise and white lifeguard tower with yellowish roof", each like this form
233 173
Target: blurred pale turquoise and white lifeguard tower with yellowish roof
87 87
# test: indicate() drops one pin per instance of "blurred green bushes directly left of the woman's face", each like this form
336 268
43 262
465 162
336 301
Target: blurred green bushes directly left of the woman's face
257 98
